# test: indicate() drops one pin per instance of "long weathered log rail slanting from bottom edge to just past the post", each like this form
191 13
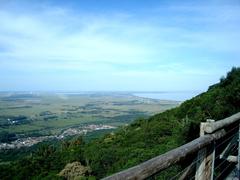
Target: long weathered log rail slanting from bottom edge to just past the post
166 160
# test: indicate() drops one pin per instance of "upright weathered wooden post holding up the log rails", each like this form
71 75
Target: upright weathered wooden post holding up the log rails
205 159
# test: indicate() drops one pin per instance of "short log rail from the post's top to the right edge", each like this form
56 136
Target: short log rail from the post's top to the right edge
211 127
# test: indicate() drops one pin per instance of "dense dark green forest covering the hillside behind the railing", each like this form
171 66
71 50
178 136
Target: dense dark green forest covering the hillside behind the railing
130 145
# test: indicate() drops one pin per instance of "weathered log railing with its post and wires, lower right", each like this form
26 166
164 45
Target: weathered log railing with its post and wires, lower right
205 146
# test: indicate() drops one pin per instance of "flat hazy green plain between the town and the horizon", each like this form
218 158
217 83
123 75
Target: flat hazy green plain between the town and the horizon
38 114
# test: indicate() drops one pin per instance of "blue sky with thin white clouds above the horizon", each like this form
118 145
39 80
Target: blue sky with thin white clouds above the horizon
110 45
